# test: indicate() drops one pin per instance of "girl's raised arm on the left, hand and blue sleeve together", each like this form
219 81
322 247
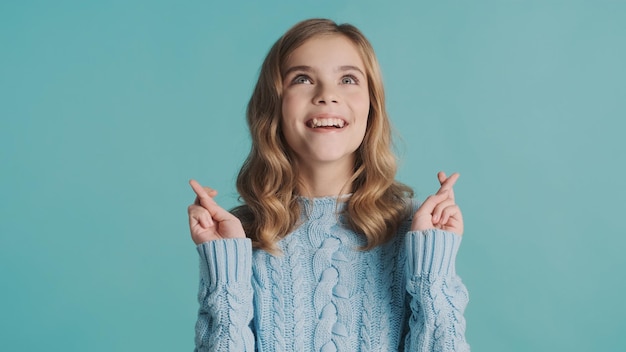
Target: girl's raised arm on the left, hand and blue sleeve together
225 292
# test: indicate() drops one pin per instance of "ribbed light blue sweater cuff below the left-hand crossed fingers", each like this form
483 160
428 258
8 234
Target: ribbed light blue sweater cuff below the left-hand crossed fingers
225 261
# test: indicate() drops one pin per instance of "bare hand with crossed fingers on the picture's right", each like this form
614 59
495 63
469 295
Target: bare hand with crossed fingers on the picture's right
439 210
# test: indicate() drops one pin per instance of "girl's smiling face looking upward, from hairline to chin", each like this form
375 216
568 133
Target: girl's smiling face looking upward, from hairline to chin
325 102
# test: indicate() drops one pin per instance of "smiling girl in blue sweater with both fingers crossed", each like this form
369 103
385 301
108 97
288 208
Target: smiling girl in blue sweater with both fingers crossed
328 252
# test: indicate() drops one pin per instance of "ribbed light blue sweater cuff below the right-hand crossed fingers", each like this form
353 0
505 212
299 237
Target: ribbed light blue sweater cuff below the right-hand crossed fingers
432 253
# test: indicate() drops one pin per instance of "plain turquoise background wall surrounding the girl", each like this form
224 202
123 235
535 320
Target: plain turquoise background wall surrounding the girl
108 108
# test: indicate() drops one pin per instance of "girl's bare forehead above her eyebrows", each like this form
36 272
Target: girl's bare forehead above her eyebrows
326 51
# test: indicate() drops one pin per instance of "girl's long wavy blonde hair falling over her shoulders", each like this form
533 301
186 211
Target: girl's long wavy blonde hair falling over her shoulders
268 180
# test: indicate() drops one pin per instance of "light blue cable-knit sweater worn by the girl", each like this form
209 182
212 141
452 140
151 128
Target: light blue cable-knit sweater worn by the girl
324 294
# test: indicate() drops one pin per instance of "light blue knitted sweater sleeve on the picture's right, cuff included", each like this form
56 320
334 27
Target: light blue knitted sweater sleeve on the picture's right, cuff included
438 297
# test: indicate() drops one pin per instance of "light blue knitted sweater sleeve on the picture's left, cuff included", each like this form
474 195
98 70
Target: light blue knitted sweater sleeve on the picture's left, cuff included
225 296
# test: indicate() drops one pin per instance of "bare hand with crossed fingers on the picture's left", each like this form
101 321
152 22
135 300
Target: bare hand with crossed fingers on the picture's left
208 221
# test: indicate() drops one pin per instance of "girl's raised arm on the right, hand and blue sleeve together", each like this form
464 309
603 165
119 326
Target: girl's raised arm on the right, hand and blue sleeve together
438 296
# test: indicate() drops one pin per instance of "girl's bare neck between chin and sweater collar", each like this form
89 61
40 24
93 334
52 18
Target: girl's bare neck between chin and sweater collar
325 180
